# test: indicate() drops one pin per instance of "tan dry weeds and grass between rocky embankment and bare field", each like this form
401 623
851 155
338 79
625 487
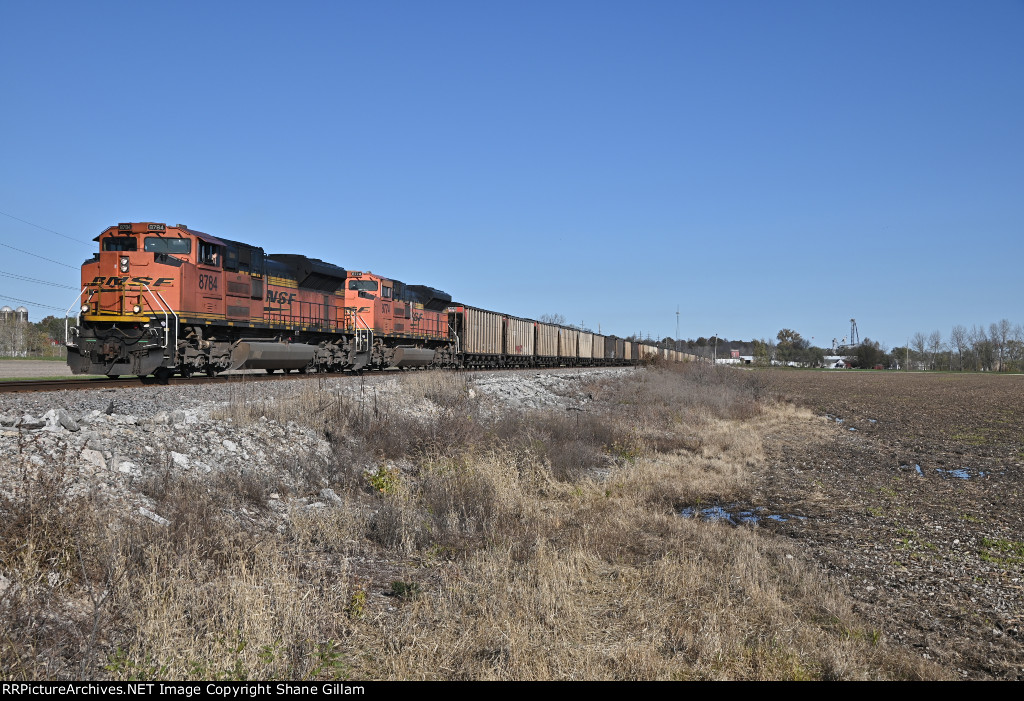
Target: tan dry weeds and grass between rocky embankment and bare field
472 542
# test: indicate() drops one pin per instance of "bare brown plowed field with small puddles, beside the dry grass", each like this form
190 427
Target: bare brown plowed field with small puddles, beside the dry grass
911 488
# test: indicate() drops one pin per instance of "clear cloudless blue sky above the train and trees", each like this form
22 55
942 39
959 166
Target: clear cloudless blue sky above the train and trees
757 165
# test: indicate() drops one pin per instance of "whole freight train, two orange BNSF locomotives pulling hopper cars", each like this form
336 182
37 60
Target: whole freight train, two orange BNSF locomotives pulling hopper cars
159 299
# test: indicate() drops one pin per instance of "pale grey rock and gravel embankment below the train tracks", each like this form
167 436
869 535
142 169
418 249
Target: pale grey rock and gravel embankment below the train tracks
109 442
